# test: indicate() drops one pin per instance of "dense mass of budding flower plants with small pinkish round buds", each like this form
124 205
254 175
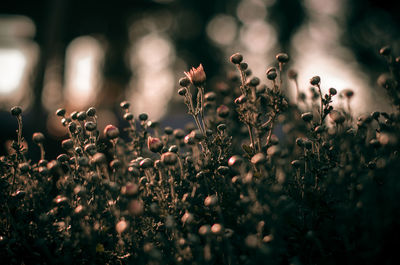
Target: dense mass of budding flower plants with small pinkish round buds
255 179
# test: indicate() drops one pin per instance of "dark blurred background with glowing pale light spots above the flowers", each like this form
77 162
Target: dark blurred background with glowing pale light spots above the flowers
75 54
